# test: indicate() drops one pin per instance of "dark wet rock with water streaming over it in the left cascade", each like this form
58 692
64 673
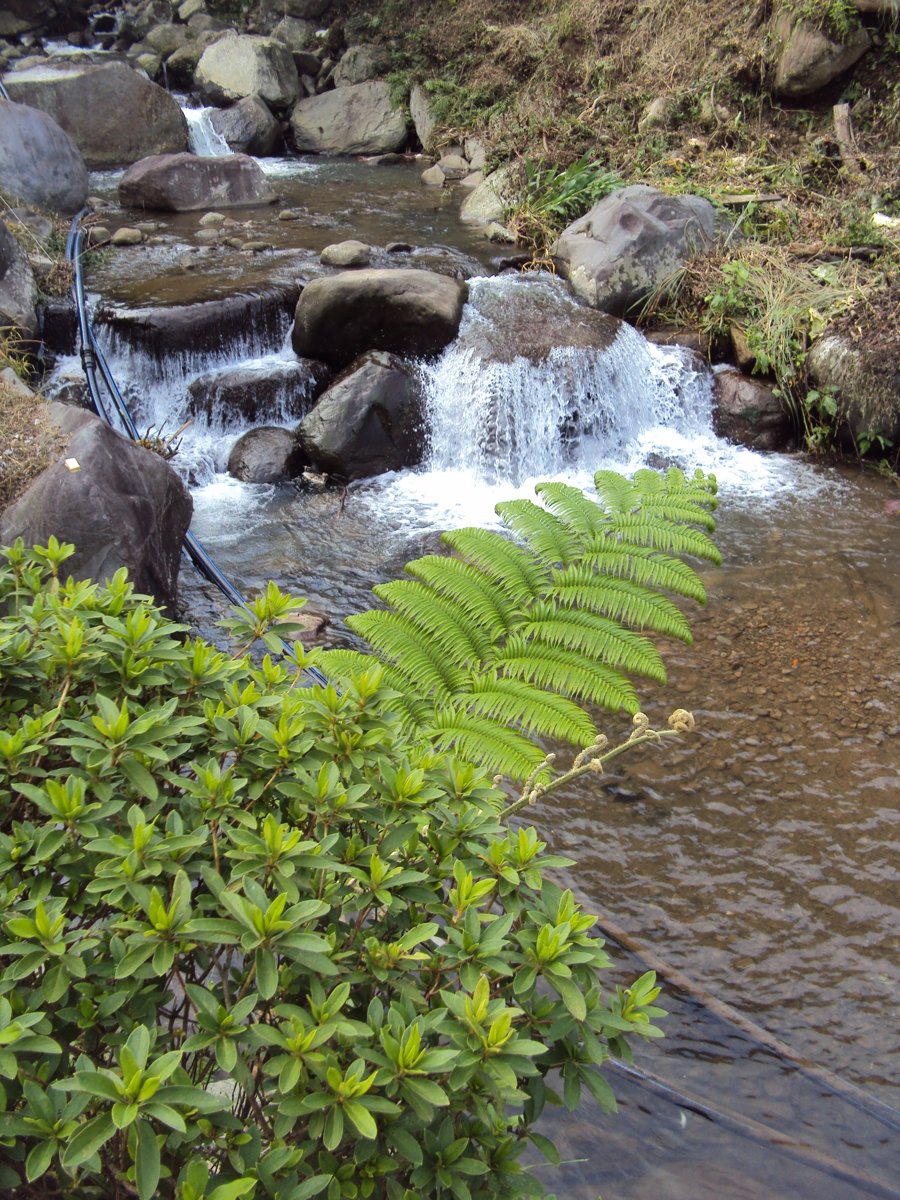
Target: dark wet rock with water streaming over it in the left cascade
268 392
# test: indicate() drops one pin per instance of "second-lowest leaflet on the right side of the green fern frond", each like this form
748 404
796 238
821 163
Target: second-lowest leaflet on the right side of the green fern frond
518 703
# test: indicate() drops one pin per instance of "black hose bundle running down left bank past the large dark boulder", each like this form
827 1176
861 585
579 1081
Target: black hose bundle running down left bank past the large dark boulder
94 359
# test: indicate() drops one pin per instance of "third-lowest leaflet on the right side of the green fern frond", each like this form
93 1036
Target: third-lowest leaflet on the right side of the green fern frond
569 674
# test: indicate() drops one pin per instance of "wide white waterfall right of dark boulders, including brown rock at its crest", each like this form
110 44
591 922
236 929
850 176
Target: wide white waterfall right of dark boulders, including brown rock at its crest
507 405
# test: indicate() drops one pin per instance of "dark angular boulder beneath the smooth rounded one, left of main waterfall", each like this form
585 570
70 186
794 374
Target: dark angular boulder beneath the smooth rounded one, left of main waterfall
369 422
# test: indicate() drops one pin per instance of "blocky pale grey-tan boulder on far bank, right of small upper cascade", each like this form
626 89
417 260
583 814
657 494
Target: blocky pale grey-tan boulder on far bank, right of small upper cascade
358 119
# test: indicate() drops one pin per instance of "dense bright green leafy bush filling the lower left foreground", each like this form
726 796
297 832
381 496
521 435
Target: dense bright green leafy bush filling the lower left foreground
256 941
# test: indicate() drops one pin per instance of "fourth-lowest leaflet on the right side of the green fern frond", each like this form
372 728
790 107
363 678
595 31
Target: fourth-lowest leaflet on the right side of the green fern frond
597 639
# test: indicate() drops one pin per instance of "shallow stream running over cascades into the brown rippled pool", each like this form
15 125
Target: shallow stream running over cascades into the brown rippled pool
758 856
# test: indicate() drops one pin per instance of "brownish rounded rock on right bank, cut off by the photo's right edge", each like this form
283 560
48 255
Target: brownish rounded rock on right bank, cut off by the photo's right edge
865 380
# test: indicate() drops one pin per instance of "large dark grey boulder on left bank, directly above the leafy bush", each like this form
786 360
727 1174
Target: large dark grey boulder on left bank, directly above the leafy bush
122 507
